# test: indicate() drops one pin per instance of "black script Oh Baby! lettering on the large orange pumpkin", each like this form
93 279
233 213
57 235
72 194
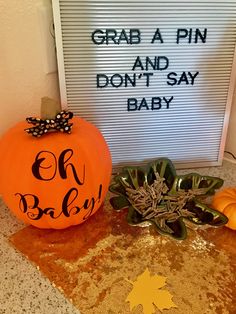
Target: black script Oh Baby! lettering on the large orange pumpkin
47 167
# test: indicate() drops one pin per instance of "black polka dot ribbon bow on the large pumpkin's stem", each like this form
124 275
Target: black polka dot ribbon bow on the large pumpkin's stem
41 127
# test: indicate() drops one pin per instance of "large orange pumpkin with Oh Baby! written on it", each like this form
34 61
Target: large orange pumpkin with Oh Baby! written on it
57 180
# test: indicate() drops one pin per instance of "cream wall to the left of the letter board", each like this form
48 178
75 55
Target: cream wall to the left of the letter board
22 77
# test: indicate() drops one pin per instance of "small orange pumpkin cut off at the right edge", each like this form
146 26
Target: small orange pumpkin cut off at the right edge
225 202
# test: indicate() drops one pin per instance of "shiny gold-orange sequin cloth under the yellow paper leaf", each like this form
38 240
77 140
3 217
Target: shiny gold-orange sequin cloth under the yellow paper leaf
91 262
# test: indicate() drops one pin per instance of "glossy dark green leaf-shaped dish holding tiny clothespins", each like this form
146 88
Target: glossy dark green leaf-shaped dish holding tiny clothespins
193 210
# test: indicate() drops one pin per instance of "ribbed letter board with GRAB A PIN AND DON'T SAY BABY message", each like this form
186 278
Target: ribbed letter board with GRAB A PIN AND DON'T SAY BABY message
193 130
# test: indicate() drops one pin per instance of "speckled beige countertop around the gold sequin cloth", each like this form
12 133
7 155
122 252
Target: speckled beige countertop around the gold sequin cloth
22 287
